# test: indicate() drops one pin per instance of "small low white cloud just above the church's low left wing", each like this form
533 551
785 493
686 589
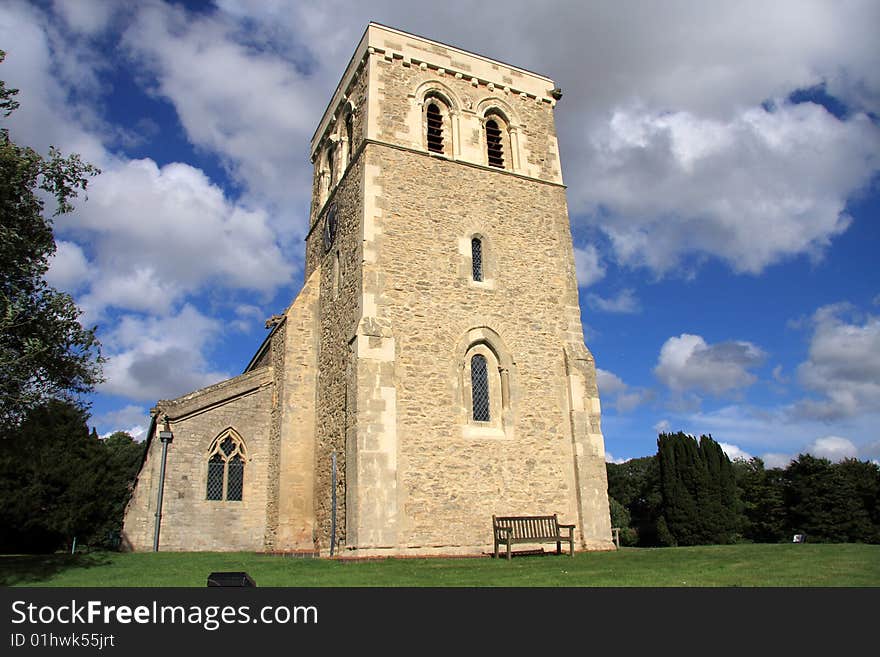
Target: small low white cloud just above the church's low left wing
152 358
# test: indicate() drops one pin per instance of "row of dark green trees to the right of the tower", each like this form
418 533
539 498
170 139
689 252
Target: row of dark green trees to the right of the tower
690 493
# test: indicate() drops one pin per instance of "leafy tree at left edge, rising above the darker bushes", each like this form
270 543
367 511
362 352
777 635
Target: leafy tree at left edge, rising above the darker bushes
44 351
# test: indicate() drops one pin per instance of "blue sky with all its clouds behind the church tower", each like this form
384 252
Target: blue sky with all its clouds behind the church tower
722 168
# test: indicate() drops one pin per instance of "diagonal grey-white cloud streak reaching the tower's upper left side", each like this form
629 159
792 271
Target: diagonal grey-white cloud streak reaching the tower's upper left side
240 99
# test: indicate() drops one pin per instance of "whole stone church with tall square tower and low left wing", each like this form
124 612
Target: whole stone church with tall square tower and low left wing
435 353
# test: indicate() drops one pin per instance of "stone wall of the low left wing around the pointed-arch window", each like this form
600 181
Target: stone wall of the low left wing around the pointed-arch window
190 522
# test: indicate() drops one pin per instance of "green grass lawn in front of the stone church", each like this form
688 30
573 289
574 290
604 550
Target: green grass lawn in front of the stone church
783 565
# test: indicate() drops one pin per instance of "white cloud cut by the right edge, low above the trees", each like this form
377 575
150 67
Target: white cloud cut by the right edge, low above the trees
843 364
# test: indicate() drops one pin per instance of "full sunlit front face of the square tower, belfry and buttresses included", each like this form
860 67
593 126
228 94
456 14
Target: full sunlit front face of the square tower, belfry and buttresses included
422 475
